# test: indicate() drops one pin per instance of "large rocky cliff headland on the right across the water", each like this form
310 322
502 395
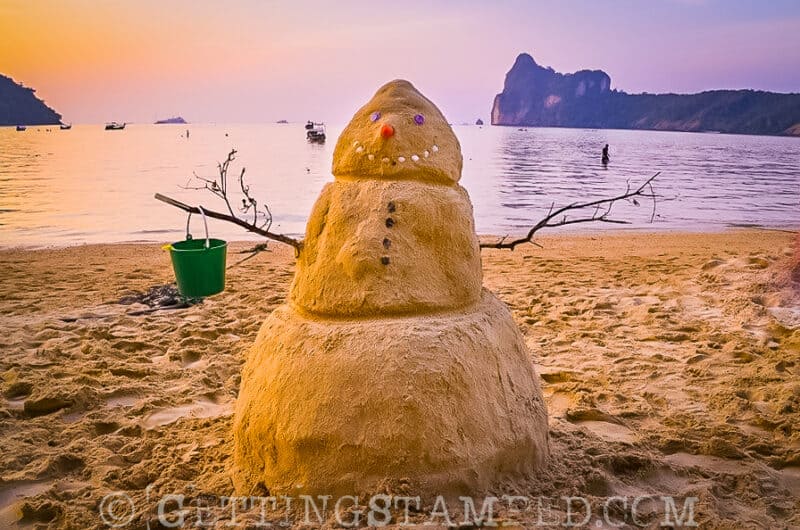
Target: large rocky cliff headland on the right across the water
534 95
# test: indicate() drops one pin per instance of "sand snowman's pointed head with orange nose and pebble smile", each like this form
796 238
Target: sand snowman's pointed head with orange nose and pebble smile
398 135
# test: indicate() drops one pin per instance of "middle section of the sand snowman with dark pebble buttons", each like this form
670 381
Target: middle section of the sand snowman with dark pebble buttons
388 247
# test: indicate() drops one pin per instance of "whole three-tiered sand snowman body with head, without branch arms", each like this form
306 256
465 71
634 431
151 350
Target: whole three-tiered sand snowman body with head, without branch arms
389 364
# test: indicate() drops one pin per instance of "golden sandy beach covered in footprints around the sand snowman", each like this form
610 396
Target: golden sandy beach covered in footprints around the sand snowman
670 365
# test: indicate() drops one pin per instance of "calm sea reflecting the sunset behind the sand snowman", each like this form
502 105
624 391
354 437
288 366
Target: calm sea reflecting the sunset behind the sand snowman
88 185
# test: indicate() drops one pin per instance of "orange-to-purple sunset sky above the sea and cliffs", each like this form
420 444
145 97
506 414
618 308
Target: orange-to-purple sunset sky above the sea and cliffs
255 61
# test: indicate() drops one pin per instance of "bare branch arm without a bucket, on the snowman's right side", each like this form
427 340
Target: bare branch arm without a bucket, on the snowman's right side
602 210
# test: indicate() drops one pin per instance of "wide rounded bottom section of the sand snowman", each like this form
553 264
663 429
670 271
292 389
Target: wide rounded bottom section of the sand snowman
436 404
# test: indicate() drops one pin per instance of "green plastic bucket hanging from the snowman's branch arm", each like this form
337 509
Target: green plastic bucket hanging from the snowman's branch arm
199 264
